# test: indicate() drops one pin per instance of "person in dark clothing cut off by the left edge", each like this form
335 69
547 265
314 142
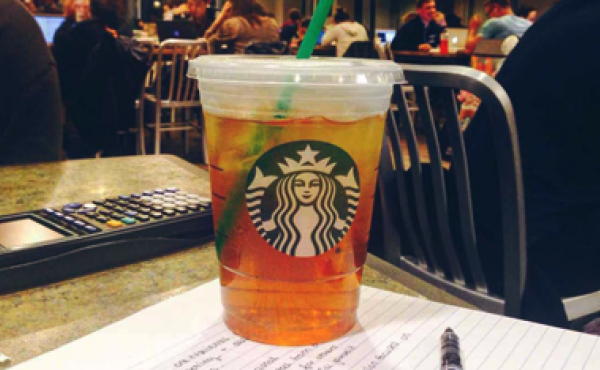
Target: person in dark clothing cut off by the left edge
30 105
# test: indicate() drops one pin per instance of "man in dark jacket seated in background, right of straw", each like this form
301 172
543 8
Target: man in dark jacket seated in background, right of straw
421 33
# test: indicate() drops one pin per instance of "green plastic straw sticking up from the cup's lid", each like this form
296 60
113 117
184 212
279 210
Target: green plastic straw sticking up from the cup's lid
306 48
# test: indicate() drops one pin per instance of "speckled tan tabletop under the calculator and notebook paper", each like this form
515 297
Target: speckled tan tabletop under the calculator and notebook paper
37 320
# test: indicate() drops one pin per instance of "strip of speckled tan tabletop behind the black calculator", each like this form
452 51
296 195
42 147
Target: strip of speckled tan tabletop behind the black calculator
26 188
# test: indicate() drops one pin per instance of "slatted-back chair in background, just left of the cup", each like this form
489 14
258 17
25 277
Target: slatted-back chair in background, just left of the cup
175 92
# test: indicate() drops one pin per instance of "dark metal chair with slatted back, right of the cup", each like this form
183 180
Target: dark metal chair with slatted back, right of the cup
405 222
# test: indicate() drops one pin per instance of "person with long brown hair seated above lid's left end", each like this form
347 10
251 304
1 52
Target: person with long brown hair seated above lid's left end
242 25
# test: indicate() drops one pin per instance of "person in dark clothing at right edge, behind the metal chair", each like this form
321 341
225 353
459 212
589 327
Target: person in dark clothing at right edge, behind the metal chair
557 127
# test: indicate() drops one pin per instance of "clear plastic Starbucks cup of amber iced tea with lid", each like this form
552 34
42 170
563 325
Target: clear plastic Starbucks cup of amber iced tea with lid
293 149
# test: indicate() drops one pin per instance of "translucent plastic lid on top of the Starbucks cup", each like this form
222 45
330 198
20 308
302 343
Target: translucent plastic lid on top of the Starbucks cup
288 70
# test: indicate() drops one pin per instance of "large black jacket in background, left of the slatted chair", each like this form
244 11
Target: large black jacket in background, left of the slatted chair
100 83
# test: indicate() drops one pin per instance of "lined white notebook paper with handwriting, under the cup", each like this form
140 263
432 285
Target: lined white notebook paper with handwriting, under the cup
395 332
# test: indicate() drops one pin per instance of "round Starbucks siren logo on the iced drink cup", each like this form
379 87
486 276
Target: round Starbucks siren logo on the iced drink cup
302 197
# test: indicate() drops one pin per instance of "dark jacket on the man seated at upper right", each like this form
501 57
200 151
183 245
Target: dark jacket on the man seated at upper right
414 33
